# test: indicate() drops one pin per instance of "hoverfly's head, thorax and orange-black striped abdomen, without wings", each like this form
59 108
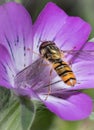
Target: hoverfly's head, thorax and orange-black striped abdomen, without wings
53 54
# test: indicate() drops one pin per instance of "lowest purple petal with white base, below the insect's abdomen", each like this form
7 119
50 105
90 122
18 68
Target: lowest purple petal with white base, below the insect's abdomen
76 107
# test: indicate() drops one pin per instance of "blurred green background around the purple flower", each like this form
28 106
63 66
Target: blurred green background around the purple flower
45 120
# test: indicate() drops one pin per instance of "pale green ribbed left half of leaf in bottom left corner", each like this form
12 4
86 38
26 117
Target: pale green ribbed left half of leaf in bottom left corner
10 117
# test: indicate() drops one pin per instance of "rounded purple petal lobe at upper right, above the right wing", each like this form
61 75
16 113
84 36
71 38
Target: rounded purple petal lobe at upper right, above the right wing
73 34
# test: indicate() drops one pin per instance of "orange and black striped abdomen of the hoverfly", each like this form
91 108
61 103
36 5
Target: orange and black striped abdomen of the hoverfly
65 72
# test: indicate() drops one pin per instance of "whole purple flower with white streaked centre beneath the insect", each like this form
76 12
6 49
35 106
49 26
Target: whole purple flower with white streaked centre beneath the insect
22 71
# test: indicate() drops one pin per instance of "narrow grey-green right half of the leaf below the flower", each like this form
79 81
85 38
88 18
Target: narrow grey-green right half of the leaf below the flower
27 113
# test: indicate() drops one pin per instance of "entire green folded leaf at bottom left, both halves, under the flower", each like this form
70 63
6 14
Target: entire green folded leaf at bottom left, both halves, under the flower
17 115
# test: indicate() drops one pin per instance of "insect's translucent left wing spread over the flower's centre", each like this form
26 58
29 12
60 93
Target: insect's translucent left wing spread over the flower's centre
35 75
